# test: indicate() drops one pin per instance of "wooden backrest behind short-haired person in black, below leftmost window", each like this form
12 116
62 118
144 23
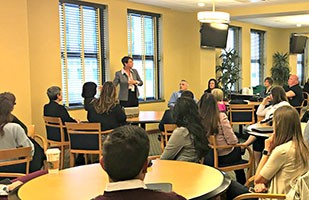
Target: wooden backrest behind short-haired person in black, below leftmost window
55 130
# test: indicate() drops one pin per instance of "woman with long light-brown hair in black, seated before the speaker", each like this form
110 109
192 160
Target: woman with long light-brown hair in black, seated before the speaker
106 109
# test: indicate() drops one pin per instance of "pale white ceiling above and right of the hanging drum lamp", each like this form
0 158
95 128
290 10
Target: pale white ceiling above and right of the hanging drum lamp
282 21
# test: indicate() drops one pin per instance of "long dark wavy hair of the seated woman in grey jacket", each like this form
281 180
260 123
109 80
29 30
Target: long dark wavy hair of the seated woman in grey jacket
186 115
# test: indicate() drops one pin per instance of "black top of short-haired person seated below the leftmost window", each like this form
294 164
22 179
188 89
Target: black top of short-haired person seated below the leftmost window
53 109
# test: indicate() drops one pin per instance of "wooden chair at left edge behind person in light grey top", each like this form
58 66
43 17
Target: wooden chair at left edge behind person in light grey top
13 157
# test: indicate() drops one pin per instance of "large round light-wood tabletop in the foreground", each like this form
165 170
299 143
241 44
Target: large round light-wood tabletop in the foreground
85 182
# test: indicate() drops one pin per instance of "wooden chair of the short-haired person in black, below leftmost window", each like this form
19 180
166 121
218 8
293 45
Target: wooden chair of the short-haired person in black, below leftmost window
56 135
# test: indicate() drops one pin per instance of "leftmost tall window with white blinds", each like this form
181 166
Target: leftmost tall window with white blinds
82 47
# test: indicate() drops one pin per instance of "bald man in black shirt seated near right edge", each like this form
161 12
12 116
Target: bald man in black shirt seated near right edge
294 93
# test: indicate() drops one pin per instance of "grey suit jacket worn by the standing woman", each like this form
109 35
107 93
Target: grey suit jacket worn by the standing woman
122 79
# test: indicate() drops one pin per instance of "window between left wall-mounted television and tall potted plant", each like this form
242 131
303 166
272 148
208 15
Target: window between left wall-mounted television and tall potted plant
233 42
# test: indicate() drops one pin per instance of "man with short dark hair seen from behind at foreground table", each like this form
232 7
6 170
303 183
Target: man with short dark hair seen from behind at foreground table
125 159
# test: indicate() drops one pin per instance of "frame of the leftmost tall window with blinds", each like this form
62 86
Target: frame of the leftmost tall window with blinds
101 47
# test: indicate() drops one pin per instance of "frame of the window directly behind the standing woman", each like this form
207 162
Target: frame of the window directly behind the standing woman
156 56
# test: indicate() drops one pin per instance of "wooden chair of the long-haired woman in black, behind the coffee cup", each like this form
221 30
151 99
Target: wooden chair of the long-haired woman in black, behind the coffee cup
85 138
